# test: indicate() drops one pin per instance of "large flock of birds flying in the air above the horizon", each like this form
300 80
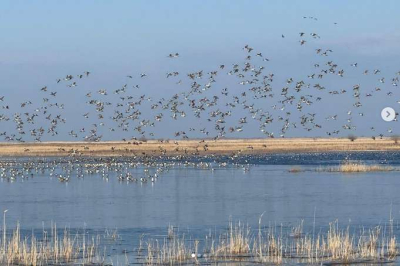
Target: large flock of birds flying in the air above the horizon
221 110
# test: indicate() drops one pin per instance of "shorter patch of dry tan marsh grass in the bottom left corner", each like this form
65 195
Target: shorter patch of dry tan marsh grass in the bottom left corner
51 248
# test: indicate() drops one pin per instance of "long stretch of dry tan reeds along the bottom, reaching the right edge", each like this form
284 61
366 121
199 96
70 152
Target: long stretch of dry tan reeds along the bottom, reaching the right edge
275 245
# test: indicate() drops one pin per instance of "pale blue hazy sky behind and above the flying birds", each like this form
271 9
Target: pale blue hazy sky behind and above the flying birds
45 40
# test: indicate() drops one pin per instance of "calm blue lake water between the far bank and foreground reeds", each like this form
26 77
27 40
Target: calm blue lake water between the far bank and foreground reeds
197 198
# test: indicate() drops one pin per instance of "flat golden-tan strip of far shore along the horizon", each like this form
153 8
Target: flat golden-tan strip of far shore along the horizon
196 147
